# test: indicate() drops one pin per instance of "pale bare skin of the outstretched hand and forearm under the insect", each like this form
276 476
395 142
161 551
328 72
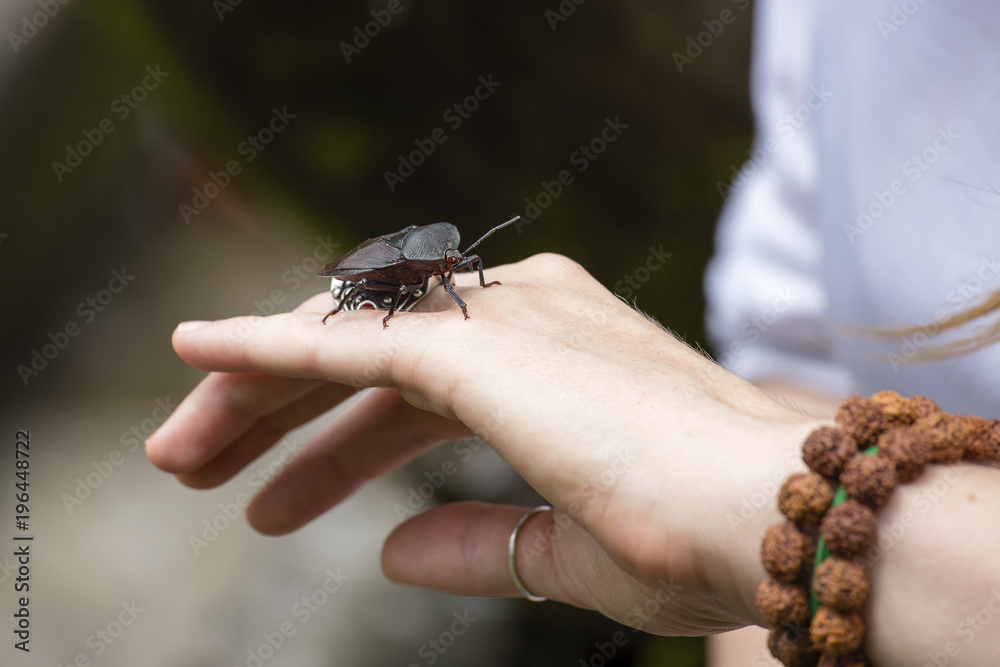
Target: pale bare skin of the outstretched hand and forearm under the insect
648 451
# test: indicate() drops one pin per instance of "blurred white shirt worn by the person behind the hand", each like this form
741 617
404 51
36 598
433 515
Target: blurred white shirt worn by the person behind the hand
871 199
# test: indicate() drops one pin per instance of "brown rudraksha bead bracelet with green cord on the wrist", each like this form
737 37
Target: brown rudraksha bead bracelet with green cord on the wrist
817 587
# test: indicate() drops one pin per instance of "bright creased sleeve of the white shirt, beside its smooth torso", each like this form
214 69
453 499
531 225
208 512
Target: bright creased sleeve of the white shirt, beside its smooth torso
767 304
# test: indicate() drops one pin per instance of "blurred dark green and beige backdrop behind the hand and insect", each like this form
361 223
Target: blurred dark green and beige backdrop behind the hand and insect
94 186
